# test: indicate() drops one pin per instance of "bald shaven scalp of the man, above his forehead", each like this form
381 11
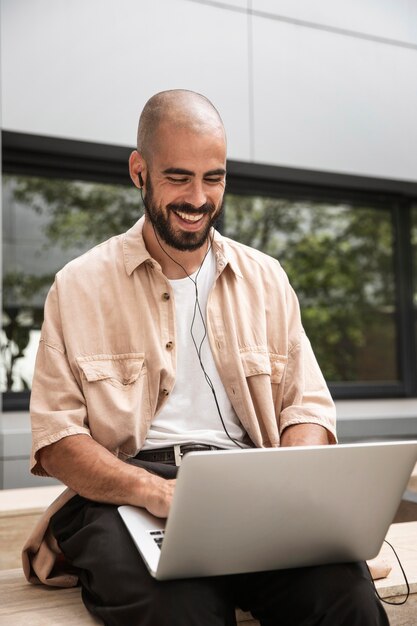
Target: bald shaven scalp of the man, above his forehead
181 109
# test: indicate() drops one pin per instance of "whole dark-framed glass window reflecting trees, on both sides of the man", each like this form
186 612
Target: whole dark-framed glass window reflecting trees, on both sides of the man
345 260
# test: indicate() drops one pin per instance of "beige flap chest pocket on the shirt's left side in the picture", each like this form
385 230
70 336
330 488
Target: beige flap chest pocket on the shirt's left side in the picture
117 397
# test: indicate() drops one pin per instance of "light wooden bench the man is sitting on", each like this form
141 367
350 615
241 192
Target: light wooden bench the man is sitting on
22 603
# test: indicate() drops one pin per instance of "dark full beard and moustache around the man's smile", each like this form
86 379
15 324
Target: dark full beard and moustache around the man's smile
178 239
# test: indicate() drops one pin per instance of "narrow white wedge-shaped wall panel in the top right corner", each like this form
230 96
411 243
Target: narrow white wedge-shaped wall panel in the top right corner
391 19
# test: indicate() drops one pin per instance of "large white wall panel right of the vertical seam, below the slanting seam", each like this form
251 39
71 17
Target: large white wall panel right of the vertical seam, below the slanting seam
334 103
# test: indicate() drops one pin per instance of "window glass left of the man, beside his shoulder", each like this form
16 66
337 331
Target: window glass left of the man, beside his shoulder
46 223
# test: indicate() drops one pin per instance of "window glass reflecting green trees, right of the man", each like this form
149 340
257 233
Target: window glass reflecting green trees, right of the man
340 261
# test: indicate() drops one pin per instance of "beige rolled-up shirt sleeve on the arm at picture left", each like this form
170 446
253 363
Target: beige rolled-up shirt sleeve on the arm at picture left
57 405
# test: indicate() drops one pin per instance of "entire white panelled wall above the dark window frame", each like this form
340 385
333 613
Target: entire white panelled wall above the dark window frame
325 85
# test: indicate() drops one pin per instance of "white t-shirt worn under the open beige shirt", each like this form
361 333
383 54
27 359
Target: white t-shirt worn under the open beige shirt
190 414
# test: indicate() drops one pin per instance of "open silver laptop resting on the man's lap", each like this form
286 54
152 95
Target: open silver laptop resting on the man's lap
251 510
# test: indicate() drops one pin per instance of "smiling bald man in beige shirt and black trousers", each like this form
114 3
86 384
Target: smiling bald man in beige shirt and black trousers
166 339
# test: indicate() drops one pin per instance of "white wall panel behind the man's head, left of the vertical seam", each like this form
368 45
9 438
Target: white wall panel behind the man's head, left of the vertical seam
83 69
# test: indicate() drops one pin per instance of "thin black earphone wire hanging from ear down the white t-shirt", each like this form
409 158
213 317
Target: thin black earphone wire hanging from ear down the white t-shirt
197 309
